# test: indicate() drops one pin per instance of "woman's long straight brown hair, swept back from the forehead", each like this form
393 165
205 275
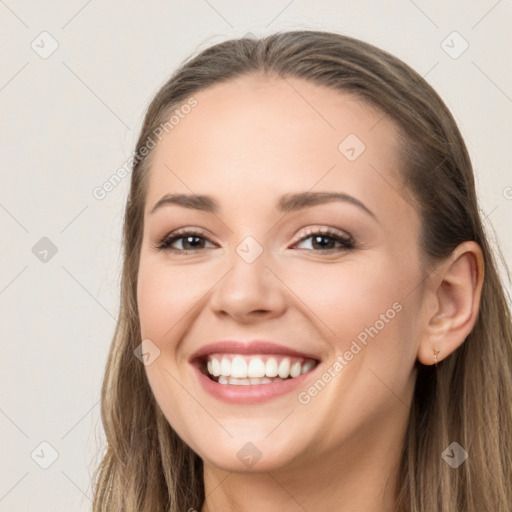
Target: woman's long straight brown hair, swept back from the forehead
467 398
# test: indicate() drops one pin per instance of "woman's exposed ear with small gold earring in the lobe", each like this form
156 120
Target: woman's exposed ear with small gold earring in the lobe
453 298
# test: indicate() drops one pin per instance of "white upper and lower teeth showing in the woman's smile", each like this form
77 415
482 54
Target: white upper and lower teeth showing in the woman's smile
247 370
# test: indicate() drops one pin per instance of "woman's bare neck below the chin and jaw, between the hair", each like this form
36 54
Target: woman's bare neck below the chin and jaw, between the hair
361 474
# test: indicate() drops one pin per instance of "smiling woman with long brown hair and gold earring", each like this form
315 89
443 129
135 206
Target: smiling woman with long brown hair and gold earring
311 315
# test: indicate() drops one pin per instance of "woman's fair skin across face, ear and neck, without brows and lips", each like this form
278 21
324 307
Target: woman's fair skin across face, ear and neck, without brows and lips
246 143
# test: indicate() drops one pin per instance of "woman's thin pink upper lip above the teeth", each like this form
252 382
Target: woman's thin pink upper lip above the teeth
250 347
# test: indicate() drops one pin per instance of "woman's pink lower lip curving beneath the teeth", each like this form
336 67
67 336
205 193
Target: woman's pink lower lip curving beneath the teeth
252 393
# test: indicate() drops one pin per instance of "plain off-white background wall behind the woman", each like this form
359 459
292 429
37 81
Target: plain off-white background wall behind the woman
70 120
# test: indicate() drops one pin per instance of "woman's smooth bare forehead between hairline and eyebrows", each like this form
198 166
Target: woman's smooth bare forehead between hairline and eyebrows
257 135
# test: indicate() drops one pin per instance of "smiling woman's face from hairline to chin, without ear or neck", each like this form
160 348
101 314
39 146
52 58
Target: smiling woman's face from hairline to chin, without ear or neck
263 291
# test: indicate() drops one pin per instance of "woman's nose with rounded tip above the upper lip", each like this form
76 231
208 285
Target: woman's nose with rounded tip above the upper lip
249 291
